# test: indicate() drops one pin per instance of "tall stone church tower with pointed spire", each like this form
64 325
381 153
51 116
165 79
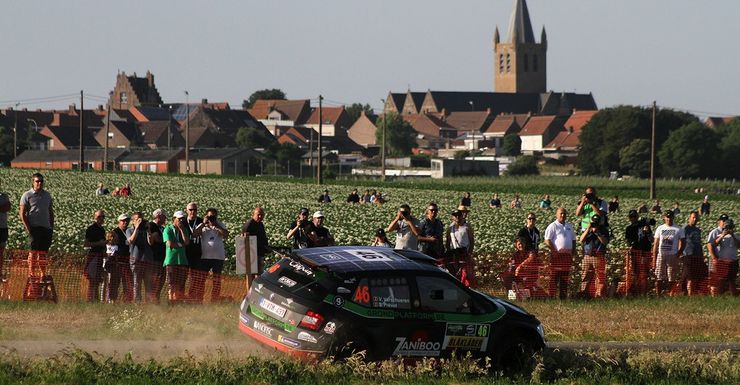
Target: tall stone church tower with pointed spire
520 63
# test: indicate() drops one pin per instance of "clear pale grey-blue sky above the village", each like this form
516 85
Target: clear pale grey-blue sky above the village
681 53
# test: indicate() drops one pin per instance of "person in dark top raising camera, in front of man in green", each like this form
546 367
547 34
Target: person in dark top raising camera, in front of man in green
594 241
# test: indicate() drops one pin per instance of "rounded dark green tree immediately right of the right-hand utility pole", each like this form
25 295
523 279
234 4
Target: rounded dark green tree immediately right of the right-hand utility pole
691 151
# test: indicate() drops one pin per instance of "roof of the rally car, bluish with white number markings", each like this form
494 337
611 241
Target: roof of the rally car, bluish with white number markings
351 259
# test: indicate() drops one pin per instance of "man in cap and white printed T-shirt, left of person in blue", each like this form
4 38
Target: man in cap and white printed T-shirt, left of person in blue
665 253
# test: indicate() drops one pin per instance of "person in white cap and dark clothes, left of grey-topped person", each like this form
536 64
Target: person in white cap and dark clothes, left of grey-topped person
119 269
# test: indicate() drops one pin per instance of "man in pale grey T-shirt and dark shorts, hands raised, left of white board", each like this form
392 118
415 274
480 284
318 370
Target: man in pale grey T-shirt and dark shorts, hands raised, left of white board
212 233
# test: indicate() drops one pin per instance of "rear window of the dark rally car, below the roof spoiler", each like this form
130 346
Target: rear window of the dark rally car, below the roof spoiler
299 279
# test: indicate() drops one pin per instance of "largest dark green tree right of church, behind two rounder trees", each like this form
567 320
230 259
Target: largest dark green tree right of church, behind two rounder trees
612 129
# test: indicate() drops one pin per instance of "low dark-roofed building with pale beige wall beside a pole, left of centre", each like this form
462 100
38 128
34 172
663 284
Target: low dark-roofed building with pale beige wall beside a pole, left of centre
237 161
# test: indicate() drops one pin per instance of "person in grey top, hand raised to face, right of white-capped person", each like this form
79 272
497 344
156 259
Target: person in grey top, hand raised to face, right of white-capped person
142 257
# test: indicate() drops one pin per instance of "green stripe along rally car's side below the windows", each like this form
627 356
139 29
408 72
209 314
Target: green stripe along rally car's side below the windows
394 314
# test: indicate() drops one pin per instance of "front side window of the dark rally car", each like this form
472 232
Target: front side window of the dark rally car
439 294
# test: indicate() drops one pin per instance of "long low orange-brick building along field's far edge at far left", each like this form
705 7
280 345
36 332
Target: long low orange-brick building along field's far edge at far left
66 159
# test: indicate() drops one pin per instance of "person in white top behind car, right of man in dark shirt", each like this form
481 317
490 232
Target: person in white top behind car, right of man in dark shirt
460 244
